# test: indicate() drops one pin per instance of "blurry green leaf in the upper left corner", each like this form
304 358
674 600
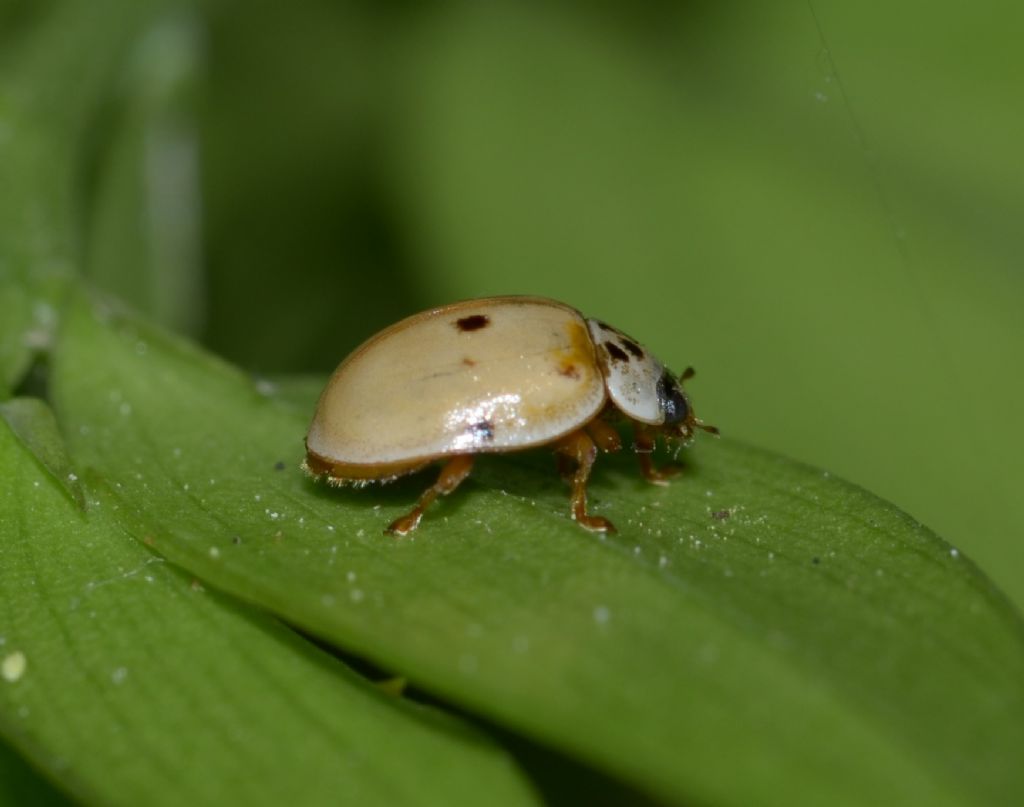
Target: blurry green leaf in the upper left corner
54 77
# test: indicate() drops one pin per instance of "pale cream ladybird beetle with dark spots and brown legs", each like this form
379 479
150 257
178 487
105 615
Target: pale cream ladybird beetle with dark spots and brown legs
498 374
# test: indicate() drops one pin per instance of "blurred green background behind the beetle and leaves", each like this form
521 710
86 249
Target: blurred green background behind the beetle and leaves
817 205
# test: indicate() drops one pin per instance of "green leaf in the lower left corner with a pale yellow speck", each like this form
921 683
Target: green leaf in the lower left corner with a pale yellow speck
129 683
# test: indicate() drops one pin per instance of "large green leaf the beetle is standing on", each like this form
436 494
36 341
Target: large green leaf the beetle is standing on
760 632
